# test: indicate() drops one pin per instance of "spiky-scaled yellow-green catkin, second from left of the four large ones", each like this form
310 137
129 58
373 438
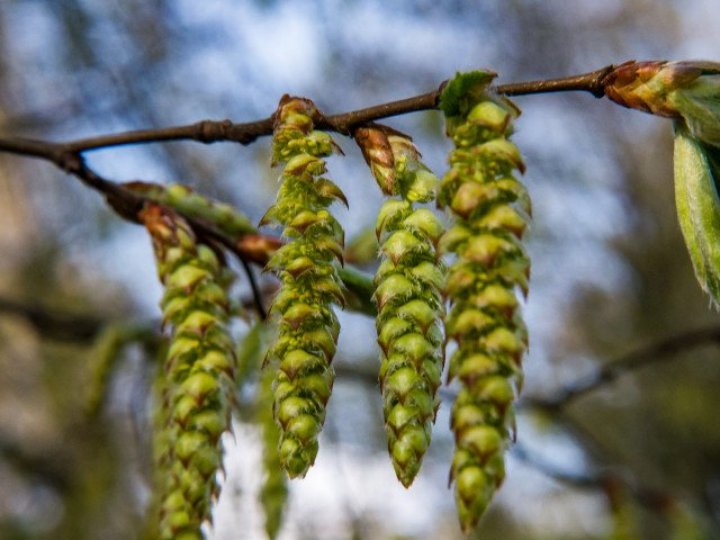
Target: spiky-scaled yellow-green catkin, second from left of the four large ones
307 266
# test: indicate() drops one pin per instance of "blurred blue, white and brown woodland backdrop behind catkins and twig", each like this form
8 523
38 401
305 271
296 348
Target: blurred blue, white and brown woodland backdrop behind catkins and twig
638 457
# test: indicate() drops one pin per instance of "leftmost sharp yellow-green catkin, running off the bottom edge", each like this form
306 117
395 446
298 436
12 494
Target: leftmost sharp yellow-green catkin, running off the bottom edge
196 379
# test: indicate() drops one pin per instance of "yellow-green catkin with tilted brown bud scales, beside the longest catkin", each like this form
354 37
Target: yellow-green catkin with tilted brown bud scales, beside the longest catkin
408 296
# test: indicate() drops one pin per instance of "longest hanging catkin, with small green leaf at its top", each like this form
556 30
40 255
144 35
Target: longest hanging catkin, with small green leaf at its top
491 209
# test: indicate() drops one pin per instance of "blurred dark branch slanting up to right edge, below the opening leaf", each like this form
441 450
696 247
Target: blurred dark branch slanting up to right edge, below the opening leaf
661 351
